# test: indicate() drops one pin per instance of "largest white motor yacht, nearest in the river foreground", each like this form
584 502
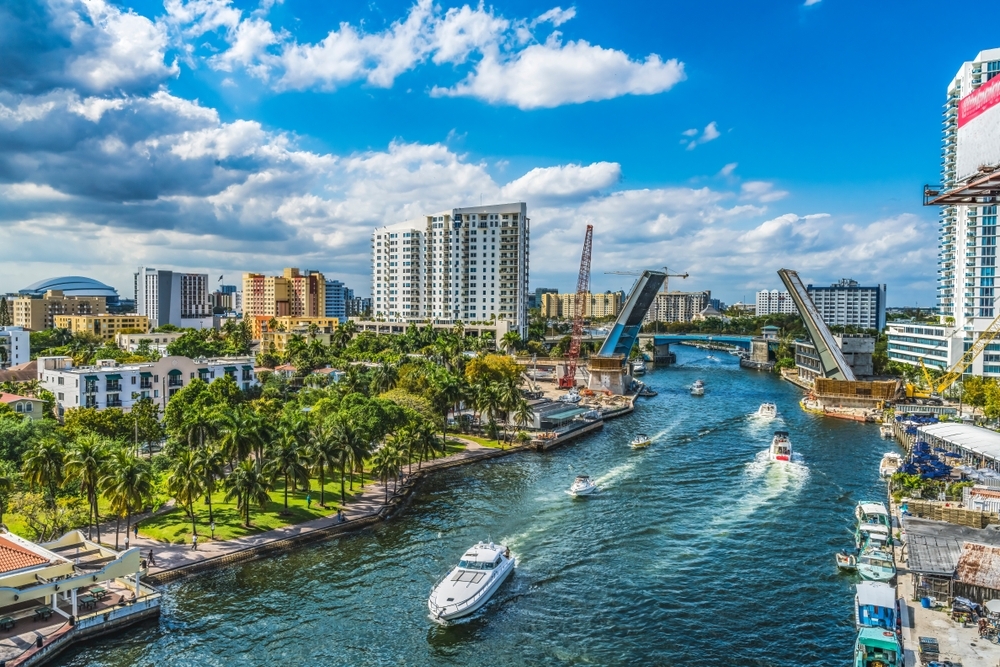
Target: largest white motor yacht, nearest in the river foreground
471 584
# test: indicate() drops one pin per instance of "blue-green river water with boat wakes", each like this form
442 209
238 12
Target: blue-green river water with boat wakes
697 552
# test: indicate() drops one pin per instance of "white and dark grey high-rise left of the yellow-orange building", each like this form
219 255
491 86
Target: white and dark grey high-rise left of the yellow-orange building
169 297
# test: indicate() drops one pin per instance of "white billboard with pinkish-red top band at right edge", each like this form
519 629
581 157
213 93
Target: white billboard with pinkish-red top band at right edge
978 129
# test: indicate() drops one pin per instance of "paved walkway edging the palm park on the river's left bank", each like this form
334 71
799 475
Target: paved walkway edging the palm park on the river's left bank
368 503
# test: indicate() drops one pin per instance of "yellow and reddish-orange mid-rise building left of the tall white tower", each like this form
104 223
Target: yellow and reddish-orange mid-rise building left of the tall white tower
294 294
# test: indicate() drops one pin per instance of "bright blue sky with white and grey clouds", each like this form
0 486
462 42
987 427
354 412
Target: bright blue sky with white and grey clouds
722 139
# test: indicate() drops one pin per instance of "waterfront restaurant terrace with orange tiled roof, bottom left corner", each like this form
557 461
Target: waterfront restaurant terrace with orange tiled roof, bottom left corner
59 592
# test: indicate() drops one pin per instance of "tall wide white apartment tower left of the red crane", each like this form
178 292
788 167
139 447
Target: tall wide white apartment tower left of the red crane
466 264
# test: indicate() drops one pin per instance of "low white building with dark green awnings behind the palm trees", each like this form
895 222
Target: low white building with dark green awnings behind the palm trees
112 385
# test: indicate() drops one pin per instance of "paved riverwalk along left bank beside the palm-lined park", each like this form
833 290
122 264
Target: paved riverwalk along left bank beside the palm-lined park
178 558
